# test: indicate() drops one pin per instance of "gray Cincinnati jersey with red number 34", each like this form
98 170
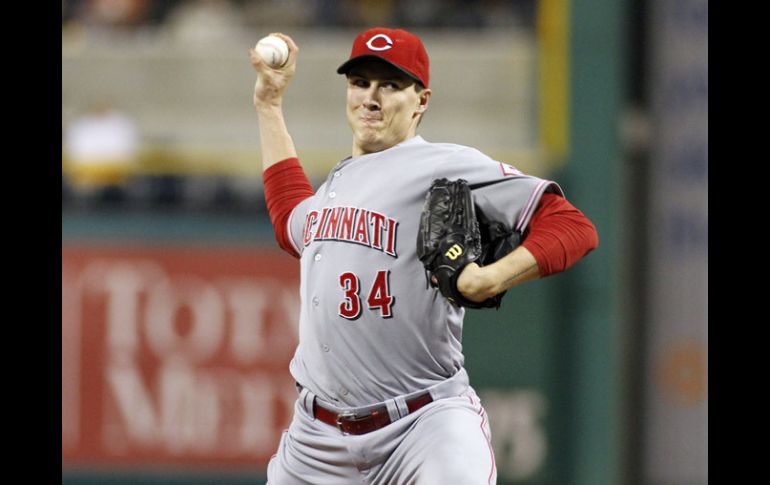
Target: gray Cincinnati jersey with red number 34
370 327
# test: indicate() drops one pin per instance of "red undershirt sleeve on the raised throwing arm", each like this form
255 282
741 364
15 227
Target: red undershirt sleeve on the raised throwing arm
286 185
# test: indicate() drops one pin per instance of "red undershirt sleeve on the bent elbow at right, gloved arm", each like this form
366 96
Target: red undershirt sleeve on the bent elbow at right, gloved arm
559 235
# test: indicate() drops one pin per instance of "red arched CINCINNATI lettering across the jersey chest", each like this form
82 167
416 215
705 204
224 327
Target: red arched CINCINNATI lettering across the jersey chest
352 224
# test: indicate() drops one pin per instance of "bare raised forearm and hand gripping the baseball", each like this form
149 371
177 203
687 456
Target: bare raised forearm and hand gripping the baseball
275 141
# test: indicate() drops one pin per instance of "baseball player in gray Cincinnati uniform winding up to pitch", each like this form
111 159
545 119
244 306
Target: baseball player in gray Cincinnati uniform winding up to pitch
383 397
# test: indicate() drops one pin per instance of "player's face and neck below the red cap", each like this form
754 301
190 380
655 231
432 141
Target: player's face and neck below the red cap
383 106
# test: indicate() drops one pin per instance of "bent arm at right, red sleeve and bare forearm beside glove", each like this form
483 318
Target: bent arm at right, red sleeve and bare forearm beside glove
559 235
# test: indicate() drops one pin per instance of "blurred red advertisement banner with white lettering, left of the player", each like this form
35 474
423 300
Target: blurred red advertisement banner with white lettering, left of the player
176 356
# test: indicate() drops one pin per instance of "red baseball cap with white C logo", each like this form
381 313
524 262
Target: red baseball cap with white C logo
397 47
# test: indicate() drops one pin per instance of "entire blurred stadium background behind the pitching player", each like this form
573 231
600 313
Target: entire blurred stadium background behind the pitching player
179 312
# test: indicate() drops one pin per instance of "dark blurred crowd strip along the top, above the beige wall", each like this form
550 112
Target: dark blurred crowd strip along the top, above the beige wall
169 14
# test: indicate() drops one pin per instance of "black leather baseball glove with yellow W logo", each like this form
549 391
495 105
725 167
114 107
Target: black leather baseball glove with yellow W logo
450 238
